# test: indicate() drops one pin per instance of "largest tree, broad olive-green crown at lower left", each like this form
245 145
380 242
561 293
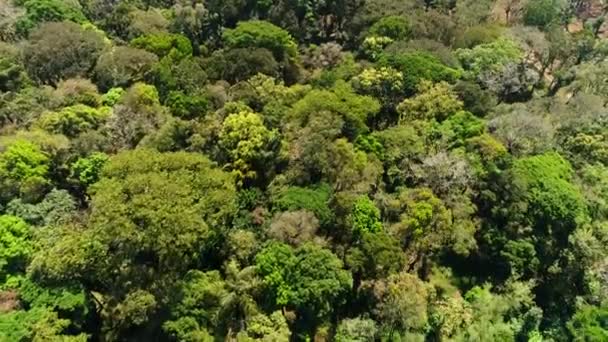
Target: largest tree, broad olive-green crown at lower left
132 225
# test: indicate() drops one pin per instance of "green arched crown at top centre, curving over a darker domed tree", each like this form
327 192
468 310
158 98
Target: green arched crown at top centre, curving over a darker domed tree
261 34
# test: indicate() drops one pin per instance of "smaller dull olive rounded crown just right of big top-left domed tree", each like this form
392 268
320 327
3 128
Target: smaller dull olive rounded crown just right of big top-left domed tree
122 66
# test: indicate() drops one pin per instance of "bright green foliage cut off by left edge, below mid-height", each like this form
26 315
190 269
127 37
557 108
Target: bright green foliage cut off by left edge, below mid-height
16 246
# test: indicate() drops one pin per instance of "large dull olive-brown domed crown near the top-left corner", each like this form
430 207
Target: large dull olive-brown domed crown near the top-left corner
49 61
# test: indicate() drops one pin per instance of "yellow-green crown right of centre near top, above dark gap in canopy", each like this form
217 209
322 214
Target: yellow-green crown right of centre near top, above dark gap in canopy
434 101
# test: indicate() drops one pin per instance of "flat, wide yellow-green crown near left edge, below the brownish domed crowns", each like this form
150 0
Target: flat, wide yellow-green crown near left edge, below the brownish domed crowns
74 120
